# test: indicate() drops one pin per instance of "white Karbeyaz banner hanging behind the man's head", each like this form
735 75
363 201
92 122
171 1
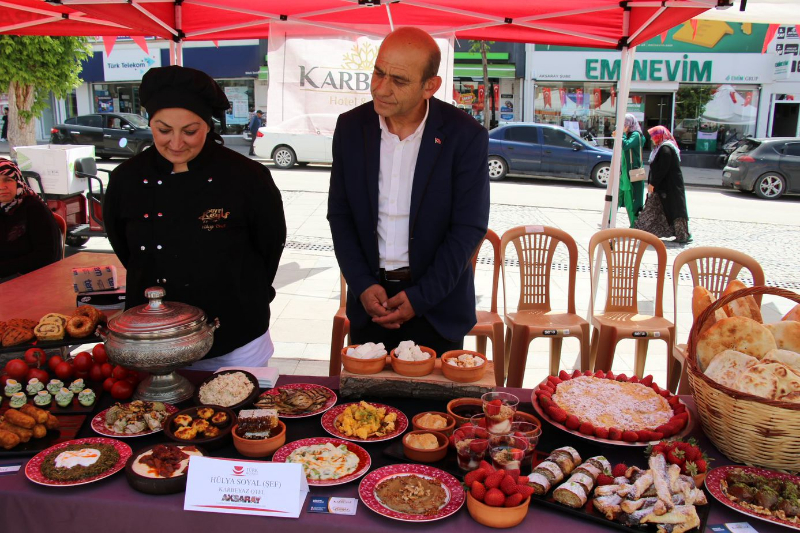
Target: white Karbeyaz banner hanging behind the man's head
328 73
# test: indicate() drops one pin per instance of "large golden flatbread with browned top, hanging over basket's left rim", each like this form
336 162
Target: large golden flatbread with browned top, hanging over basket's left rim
734 333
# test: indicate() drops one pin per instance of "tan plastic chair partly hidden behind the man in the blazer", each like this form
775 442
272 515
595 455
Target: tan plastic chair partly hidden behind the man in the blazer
490 323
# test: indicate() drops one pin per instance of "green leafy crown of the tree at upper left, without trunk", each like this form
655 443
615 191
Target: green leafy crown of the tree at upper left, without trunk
46 63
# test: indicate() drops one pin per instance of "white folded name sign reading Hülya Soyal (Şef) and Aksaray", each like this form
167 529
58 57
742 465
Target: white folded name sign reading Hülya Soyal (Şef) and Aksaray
238 486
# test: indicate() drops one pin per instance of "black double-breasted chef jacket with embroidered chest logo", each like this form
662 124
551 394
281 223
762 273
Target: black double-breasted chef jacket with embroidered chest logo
212 236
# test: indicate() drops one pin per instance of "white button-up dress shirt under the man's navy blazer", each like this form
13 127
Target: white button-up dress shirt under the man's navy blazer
395 179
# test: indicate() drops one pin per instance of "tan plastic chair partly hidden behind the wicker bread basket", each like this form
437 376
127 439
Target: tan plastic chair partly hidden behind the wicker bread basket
713 268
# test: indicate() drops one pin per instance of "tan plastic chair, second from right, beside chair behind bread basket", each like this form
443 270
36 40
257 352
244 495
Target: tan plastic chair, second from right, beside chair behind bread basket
624 249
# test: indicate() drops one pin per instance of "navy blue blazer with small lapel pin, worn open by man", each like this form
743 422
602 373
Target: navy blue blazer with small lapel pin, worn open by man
448 219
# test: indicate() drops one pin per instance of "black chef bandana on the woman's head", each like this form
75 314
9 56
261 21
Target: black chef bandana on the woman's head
183 87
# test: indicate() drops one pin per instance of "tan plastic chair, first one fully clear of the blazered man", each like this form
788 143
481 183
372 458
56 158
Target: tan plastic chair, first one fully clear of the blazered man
536 246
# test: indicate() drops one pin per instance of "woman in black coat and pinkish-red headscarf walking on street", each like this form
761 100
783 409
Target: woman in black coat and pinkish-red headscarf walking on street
665 213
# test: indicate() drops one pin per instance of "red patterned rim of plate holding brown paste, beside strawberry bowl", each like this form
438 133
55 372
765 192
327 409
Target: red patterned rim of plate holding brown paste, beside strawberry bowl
453 501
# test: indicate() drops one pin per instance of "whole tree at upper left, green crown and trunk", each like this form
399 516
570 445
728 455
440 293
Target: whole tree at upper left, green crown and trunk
32 67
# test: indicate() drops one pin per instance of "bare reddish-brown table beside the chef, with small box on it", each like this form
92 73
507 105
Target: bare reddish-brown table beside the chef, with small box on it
49 289
